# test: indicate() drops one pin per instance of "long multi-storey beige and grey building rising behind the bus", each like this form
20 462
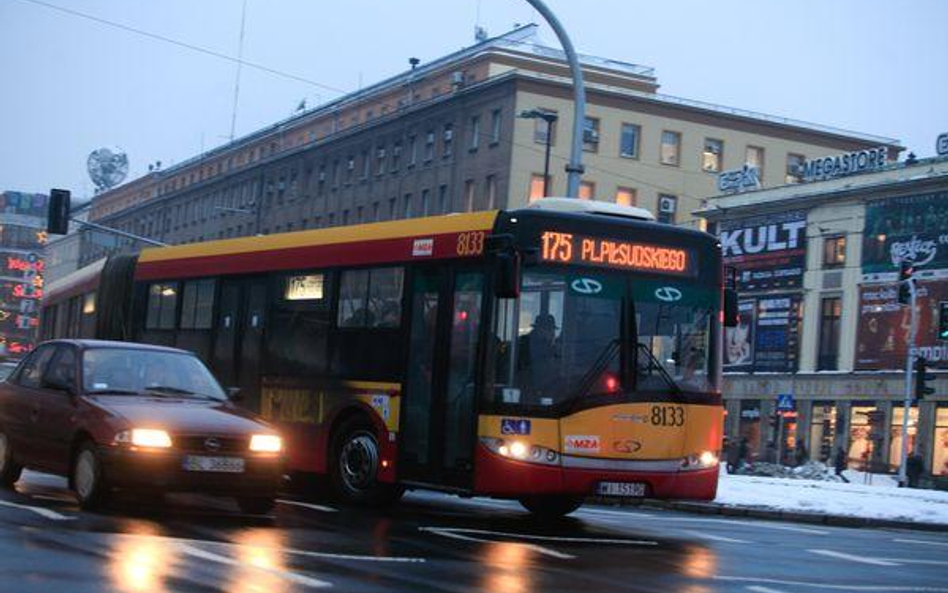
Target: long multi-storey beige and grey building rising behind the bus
446 136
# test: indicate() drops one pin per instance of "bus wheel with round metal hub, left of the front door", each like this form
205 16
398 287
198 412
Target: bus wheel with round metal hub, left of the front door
354 466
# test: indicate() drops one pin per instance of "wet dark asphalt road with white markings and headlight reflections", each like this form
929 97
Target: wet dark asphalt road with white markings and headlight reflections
432 542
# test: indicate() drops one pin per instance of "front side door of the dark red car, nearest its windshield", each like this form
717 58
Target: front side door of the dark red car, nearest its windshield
54 409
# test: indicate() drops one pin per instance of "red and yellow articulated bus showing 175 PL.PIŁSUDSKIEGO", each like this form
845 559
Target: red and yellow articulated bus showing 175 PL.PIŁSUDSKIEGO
548 354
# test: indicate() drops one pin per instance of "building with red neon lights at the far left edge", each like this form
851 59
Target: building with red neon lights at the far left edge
22 237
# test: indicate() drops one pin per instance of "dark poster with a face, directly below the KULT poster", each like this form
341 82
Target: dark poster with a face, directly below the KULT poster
766 338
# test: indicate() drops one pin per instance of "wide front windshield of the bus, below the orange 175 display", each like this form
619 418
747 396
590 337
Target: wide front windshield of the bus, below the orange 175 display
568 334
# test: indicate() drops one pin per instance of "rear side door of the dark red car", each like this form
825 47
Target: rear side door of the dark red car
16 406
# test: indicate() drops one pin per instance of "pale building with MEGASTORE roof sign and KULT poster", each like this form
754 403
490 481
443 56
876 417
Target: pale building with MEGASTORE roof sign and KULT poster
832 248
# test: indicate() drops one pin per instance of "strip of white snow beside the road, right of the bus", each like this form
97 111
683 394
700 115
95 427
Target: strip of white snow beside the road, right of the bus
856 499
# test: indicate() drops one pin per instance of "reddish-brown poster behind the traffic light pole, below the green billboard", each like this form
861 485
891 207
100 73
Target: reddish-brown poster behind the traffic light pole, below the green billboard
884 325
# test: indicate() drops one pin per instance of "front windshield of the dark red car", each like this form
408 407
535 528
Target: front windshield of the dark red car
121 371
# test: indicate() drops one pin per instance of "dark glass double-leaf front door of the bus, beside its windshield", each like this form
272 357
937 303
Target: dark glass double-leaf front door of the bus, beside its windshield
439 422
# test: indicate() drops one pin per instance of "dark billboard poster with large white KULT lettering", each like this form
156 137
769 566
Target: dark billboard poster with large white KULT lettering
768 252
